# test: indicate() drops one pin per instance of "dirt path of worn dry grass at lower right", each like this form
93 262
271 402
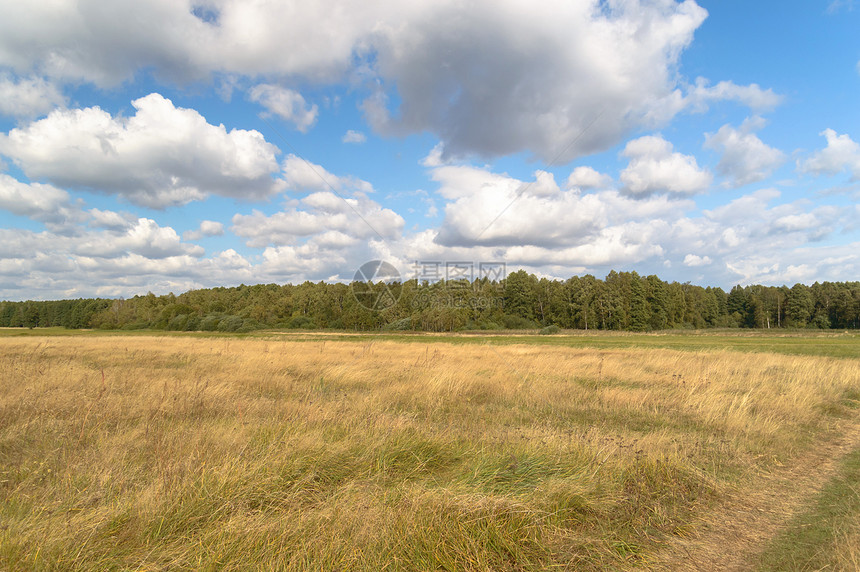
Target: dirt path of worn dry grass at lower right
733 535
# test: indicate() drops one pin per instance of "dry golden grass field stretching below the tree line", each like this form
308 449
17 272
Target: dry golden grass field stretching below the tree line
337 452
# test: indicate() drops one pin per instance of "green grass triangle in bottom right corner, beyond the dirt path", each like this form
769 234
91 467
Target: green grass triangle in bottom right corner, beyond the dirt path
826 537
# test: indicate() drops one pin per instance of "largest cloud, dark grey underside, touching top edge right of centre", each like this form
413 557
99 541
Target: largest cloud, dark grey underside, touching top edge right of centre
560 78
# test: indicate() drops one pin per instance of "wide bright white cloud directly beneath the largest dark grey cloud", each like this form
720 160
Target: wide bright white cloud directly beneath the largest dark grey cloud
538 219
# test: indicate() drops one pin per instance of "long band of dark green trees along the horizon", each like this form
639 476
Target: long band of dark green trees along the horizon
621 301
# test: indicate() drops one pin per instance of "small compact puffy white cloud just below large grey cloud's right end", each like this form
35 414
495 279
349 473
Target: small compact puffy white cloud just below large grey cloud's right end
655 168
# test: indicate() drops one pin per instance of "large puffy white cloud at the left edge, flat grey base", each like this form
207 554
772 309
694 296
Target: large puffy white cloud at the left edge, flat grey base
161 156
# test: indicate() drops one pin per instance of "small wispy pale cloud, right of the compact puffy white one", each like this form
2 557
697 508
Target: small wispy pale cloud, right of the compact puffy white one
745 158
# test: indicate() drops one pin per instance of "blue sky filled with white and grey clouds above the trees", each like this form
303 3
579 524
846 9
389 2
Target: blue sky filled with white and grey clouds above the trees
171 145
